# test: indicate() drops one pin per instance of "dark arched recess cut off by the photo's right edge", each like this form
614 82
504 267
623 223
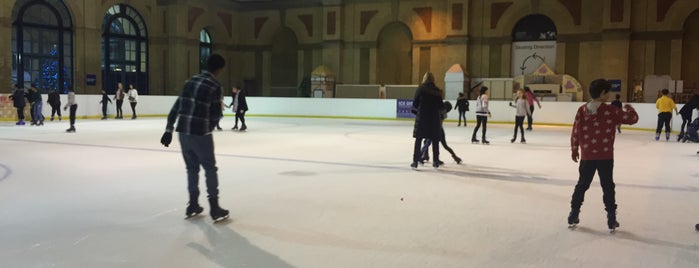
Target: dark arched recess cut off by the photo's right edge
690 51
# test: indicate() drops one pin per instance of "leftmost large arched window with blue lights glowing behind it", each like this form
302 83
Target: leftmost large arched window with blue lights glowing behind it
42 44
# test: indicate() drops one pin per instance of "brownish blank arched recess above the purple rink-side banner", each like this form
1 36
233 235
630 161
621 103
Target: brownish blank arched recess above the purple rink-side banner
395 55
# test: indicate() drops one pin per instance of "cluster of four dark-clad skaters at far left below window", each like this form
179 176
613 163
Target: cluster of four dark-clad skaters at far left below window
20 97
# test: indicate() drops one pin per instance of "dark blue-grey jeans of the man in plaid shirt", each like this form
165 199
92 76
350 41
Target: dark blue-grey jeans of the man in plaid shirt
199 151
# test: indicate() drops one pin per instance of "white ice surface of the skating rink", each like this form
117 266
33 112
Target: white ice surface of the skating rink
307 192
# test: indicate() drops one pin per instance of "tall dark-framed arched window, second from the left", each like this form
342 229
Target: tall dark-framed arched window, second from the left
125 49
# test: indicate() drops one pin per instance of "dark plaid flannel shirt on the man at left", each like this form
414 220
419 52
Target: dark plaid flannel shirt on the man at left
198 107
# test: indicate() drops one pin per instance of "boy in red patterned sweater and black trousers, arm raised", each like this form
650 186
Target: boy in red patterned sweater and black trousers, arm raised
593 132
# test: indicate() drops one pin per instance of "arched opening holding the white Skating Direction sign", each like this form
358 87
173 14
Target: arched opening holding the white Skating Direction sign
533 43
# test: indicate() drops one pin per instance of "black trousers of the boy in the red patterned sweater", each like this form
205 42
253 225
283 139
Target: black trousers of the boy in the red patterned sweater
587 169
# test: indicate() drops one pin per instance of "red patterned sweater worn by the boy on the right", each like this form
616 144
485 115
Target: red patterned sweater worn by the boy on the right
594 132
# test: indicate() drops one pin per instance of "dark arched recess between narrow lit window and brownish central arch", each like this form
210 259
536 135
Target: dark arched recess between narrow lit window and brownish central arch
284 61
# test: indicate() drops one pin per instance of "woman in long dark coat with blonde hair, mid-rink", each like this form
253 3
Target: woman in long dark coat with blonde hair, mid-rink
426 105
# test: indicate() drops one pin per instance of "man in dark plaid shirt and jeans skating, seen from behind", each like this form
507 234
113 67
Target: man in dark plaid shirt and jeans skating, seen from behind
199 109
